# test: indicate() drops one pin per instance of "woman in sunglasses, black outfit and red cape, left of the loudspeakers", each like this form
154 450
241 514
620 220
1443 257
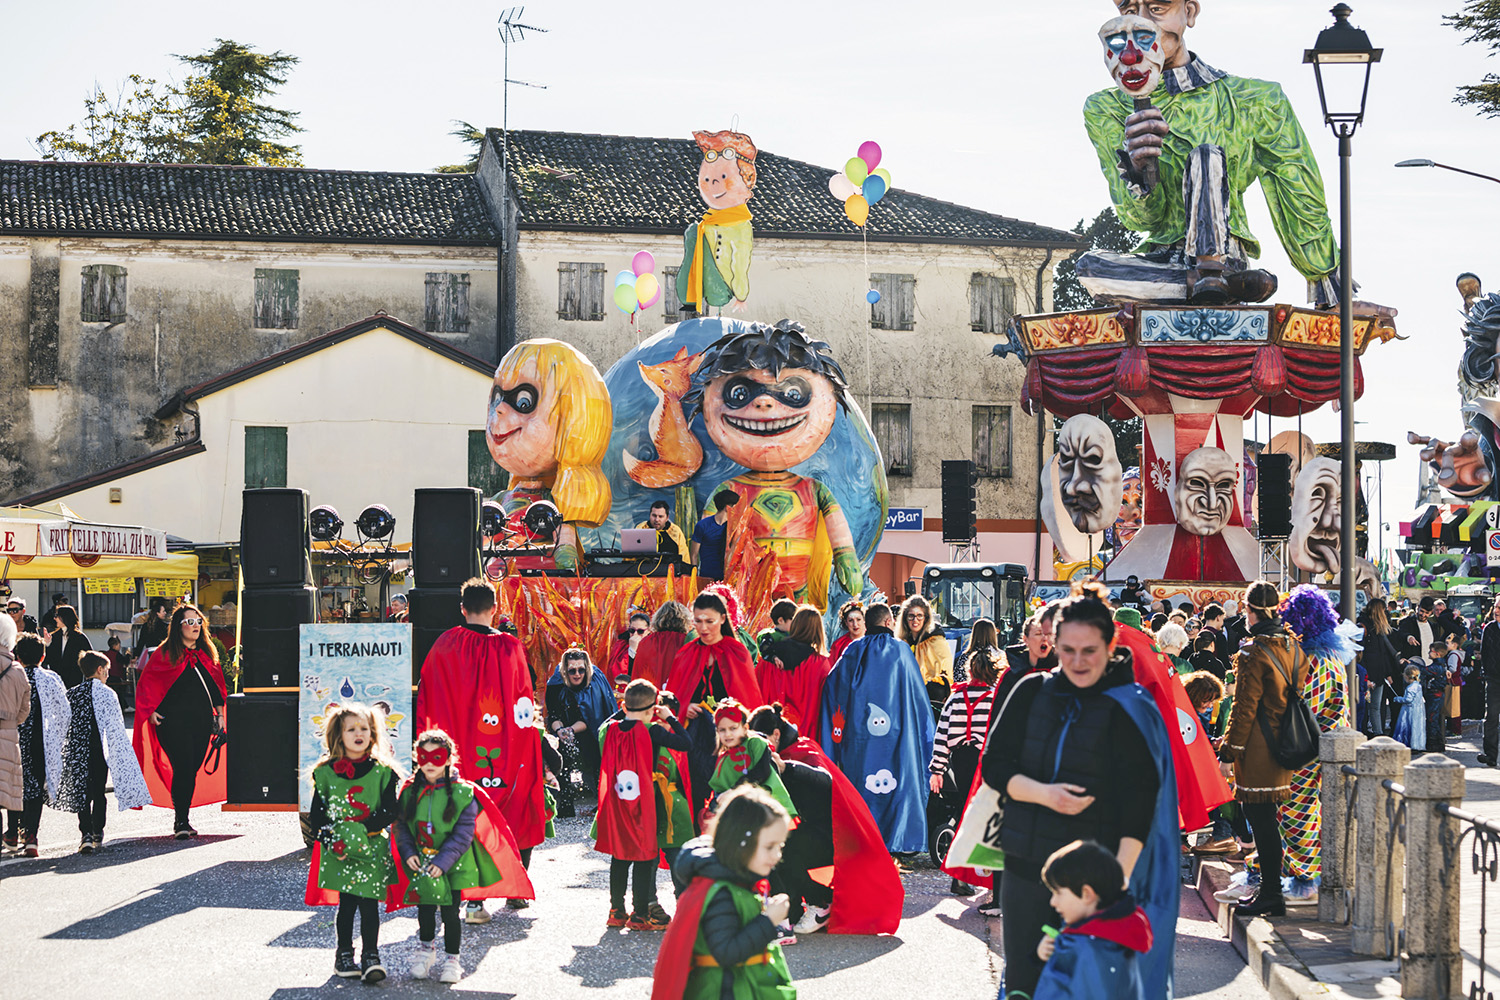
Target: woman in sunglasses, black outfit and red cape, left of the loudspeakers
176 701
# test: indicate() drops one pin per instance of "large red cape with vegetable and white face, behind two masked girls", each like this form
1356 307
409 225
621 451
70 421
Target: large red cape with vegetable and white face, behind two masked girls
476 687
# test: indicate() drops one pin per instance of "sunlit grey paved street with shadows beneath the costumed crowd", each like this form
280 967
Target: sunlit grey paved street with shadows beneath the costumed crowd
223 917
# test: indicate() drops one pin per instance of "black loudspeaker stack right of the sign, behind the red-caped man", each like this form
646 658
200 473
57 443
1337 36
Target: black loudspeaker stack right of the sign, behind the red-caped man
445 554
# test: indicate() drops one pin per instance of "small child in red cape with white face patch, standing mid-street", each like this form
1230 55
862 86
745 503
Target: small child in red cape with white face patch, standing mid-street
626 825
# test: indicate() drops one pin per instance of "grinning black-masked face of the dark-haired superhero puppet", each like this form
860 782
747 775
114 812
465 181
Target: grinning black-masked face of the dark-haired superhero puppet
767 422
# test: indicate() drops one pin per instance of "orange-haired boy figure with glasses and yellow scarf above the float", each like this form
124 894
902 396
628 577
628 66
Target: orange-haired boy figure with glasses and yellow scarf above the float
716 262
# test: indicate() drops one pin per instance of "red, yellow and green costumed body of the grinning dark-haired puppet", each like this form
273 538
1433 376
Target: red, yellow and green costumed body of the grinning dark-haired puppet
788 515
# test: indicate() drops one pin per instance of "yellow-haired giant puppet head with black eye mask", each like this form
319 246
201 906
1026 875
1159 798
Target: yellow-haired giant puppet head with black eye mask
550 421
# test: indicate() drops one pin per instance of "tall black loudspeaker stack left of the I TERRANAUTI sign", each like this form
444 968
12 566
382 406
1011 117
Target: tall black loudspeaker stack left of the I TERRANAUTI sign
280 597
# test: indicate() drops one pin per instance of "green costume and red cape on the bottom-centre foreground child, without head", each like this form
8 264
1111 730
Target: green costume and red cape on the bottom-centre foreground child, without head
719 933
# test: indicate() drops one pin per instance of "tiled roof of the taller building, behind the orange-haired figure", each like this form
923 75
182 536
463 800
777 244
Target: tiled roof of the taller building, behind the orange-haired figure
569 181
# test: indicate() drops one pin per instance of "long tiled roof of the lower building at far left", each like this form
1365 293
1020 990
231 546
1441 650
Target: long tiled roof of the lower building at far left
241 203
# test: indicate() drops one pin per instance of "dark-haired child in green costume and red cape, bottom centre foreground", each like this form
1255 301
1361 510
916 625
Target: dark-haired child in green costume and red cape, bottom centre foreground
724 938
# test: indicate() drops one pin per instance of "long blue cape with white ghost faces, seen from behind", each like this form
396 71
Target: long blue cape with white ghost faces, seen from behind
878 728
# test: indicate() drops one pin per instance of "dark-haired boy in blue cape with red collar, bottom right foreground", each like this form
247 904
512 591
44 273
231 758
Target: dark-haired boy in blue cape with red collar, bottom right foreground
1094 957
